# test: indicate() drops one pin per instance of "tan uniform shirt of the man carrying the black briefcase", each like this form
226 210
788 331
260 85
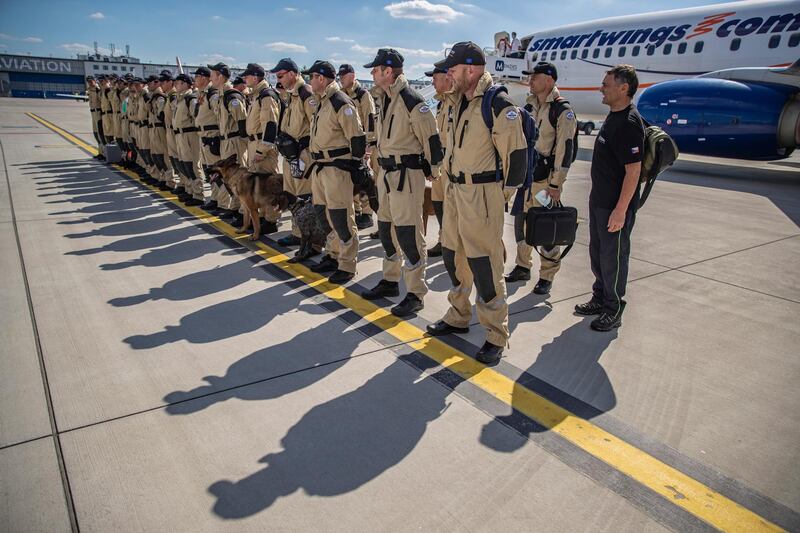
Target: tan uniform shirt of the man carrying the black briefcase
554 141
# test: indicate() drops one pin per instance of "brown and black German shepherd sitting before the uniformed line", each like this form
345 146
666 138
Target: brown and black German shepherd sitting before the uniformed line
258 193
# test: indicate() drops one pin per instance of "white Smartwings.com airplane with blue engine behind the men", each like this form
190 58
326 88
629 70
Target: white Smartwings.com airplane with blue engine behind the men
723 80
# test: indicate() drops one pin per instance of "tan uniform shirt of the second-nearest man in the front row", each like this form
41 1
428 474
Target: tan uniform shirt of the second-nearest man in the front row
408 127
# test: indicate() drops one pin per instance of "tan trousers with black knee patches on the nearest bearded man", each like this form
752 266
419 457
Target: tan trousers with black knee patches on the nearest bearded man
472 250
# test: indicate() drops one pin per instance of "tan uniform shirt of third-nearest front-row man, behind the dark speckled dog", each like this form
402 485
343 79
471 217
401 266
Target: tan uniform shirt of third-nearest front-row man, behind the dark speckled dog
335 126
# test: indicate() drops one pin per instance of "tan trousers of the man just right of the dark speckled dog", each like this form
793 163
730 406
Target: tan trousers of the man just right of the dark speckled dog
333 188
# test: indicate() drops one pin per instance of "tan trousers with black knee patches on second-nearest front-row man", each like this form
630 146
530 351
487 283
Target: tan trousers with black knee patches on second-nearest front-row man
400 221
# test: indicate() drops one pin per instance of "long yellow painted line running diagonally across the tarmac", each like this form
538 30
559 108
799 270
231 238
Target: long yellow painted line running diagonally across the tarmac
670 483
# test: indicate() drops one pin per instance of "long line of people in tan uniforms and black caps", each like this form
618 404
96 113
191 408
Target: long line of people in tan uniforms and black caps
174 128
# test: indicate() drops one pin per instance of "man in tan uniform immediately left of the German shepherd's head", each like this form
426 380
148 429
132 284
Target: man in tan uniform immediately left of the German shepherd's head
207 122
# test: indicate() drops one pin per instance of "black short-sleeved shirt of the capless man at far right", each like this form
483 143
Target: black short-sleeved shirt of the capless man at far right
619 142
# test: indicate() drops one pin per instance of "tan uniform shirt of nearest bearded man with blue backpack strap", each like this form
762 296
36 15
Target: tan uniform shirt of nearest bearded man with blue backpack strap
471 146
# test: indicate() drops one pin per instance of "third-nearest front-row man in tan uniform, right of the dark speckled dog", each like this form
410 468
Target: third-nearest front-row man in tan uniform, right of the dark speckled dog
337 146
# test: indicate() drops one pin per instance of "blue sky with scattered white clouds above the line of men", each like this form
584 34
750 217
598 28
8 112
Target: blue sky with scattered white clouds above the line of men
237 33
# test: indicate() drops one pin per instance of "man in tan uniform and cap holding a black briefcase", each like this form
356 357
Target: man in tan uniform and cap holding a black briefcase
554 148
